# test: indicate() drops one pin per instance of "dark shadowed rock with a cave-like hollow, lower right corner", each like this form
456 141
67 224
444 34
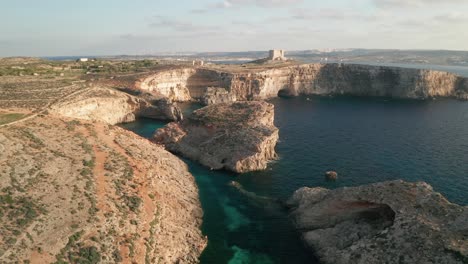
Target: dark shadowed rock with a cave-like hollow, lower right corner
389 222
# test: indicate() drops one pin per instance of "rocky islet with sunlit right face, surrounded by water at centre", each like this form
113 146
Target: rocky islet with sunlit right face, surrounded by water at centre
240 136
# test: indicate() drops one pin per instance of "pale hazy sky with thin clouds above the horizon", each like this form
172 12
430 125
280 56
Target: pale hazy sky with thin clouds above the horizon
137 27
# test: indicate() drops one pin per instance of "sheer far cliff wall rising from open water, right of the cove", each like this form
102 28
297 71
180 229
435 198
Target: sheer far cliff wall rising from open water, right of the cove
359 80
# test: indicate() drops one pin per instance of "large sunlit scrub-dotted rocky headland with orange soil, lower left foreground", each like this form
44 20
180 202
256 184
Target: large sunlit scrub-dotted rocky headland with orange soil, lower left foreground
80 192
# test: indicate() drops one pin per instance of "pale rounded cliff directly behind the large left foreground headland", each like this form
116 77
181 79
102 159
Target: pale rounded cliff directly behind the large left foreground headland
112 107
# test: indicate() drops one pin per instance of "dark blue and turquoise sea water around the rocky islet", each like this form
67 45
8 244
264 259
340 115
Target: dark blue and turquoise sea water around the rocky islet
364 139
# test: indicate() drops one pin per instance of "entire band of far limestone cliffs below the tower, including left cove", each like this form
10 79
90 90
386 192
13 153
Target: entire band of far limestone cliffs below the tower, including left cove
308 79
